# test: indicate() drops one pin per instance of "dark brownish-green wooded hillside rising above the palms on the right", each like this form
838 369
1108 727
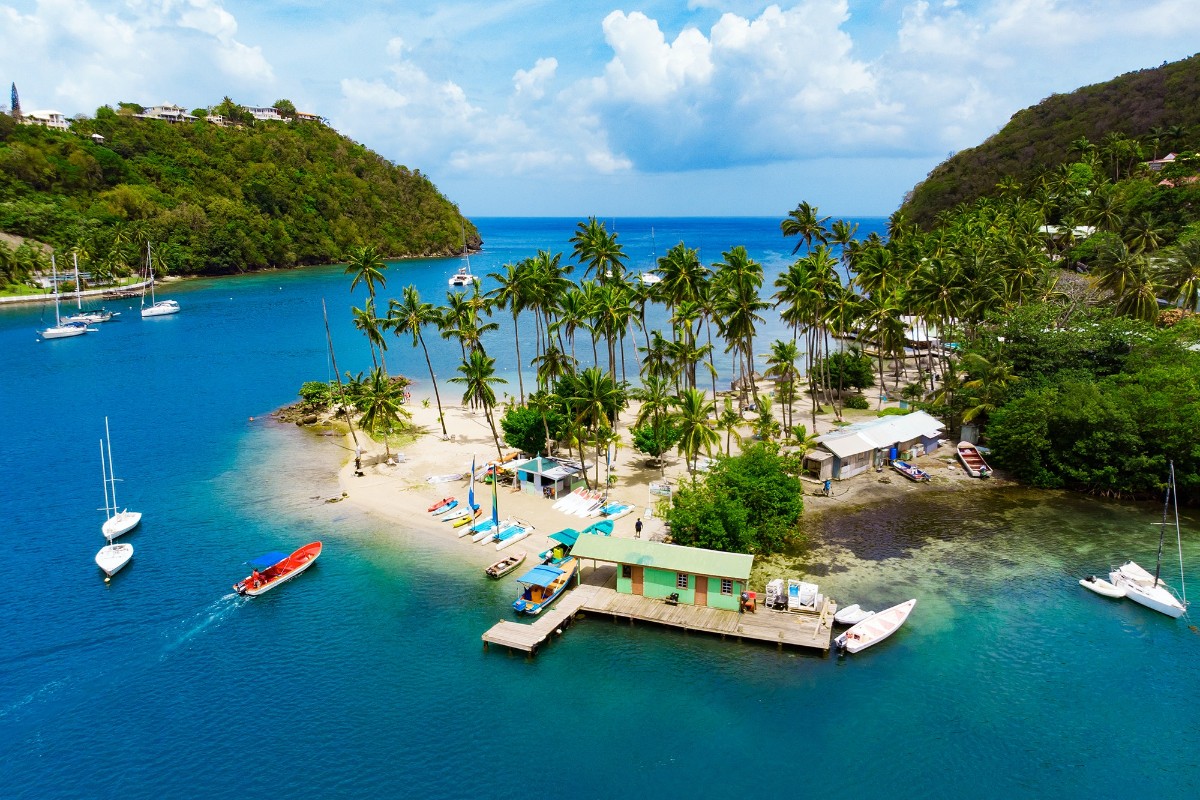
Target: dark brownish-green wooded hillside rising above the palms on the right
1160 110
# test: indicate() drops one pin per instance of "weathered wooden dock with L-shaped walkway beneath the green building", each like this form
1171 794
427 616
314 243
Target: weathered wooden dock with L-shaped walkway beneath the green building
811 630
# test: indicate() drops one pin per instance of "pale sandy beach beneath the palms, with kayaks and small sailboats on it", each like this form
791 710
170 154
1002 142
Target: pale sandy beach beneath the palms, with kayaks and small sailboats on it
400 491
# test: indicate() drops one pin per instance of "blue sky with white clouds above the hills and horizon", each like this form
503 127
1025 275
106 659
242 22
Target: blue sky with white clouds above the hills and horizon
578 109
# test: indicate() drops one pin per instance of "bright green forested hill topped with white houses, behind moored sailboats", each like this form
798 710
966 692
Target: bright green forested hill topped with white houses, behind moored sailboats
215 200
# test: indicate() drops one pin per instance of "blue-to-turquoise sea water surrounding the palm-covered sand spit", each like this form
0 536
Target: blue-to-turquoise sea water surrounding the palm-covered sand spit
367 676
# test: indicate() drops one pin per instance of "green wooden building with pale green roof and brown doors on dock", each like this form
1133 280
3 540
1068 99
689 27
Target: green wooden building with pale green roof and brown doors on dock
656 570
